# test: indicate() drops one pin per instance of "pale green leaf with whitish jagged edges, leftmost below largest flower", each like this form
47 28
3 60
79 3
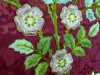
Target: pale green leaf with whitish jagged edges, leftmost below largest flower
22 46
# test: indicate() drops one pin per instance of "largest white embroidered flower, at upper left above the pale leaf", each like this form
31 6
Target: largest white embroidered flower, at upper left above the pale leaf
29 19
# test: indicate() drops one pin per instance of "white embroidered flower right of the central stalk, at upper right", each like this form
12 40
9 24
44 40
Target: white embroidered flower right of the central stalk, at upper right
71 16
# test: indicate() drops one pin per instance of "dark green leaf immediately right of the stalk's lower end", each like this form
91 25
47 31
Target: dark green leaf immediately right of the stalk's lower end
69 41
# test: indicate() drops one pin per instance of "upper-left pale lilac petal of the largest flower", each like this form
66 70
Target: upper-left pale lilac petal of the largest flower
23 9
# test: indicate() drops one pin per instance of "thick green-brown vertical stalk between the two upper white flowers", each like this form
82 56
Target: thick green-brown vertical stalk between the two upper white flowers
53 14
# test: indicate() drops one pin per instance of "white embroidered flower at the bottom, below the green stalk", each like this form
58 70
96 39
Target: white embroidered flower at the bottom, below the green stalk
61 62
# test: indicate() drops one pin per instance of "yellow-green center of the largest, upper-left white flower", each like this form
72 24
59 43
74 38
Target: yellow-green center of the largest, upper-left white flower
29 20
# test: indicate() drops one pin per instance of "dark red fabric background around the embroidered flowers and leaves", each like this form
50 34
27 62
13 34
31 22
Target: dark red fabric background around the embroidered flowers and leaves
11 63
